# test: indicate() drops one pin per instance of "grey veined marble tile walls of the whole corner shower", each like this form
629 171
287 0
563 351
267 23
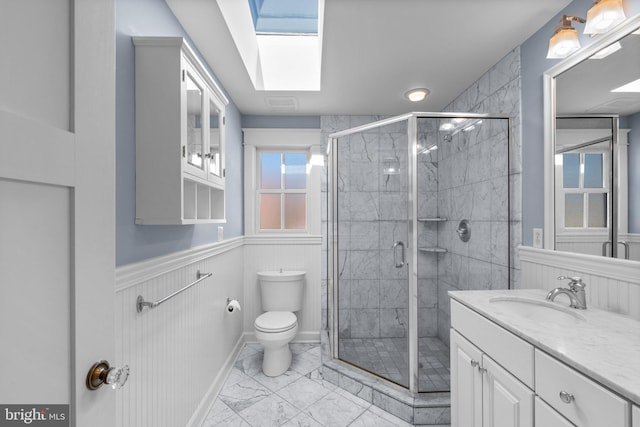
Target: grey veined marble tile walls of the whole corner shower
377 307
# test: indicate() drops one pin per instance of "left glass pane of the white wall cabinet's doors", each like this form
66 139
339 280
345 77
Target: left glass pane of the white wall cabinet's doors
195 140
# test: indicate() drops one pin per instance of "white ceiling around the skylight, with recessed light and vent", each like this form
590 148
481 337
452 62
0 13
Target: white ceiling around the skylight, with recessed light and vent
376 50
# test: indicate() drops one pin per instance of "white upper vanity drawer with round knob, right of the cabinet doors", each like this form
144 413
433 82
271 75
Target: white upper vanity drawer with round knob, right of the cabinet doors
591 405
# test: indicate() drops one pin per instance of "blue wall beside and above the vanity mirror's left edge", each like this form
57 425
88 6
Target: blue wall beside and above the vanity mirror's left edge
534 64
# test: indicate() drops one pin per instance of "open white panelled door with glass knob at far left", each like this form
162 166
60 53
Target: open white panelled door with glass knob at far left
57 138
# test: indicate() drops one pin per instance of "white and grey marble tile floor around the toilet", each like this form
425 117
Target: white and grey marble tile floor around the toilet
301 397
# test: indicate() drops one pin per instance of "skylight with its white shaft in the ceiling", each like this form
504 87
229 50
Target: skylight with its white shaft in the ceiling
279 41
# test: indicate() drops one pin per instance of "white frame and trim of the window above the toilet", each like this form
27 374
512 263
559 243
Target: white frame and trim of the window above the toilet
257 140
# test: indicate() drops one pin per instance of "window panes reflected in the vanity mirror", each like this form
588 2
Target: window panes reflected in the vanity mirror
584 192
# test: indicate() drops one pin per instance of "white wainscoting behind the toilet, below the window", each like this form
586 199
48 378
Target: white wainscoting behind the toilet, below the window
263 253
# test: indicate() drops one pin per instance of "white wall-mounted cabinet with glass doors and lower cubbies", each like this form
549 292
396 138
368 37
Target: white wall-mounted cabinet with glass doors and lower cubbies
180 121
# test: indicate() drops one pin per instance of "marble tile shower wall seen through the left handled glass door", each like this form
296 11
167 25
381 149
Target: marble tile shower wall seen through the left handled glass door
372 216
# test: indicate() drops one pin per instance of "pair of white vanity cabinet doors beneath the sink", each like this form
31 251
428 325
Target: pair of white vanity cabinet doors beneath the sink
486 394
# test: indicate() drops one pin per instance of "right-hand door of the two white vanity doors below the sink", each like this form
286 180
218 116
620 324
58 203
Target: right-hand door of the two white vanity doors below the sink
506 401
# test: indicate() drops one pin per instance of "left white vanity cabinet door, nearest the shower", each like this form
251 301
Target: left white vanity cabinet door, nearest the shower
466 383
